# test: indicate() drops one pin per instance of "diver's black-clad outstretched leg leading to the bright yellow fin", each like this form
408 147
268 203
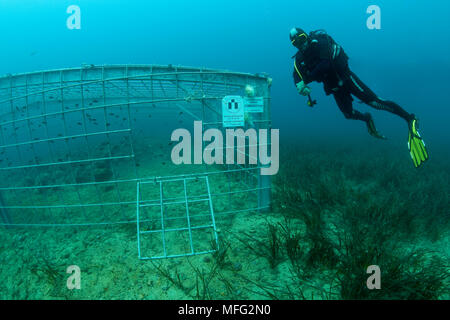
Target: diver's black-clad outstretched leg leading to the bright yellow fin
363 92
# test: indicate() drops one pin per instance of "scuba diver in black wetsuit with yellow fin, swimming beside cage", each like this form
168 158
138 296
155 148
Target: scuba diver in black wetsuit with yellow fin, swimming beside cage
321 59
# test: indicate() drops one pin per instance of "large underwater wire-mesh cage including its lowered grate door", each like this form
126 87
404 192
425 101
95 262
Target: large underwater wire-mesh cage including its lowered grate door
91 146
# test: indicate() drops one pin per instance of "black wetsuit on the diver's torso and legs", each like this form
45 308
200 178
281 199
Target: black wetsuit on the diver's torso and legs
325 61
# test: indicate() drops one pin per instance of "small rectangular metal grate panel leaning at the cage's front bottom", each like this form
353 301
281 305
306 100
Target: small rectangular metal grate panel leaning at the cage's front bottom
166 233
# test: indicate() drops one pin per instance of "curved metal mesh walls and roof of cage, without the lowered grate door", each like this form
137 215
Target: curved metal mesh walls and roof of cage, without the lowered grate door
43 113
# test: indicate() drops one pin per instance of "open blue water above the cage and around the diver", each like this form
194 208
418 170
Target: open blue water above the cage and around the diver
406 61
